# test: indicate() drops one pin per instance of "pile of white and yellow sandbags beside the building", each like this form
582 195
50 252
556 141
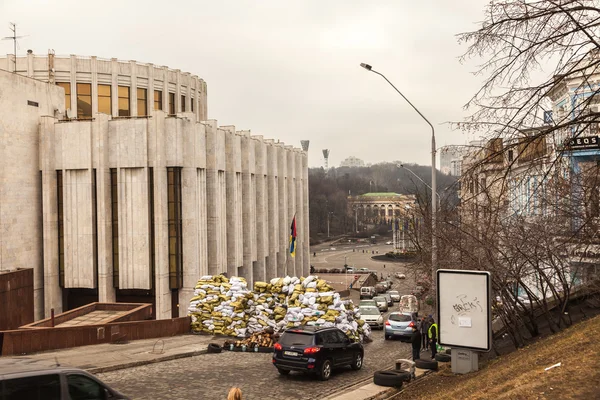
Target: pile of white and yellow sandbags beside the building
279 304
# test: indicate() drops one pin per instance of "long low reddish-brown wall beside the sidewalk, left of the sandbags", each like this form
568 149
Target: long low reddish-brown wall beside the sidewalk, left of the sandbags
26 341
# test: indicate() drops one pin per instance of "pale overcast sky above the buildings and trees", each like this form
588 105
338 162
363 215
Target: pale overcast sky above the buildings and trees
288 70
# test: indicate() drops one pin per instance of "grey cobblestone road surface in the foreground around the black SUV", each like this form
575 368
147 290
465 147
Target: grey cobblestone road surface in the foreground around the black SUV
210 376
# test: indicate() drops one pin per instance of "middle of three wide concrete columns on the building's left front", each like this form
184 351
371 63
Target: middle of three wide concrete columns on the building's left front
100 148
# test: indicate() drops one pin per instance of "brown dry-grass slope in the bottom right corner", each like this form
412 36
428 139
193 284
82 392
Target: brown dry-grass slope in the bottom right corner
521 374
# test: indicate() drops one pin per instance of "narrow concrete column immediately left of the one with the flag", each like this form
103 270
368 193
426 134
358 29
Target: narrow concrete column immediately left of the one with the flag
284 221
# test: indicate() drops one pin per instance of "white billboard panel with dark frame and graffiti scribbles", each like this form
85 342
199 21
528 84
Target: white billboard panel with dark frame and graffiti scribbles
464 309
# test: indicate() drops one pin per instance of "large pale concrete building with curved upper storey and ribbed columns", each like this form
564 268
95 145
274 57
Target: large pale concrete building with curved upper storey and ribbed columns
136 207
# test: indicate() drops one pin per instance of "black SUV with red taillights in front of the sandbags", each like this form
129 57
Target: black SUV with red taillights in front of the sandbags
317 350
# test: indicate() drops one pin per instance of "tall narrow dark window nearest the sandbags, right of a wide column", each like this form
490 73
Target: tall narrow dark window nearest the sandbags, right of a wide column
175 237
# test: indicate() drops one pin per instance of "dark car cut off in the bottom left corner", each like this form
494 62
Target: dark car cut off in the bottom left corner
29 381
